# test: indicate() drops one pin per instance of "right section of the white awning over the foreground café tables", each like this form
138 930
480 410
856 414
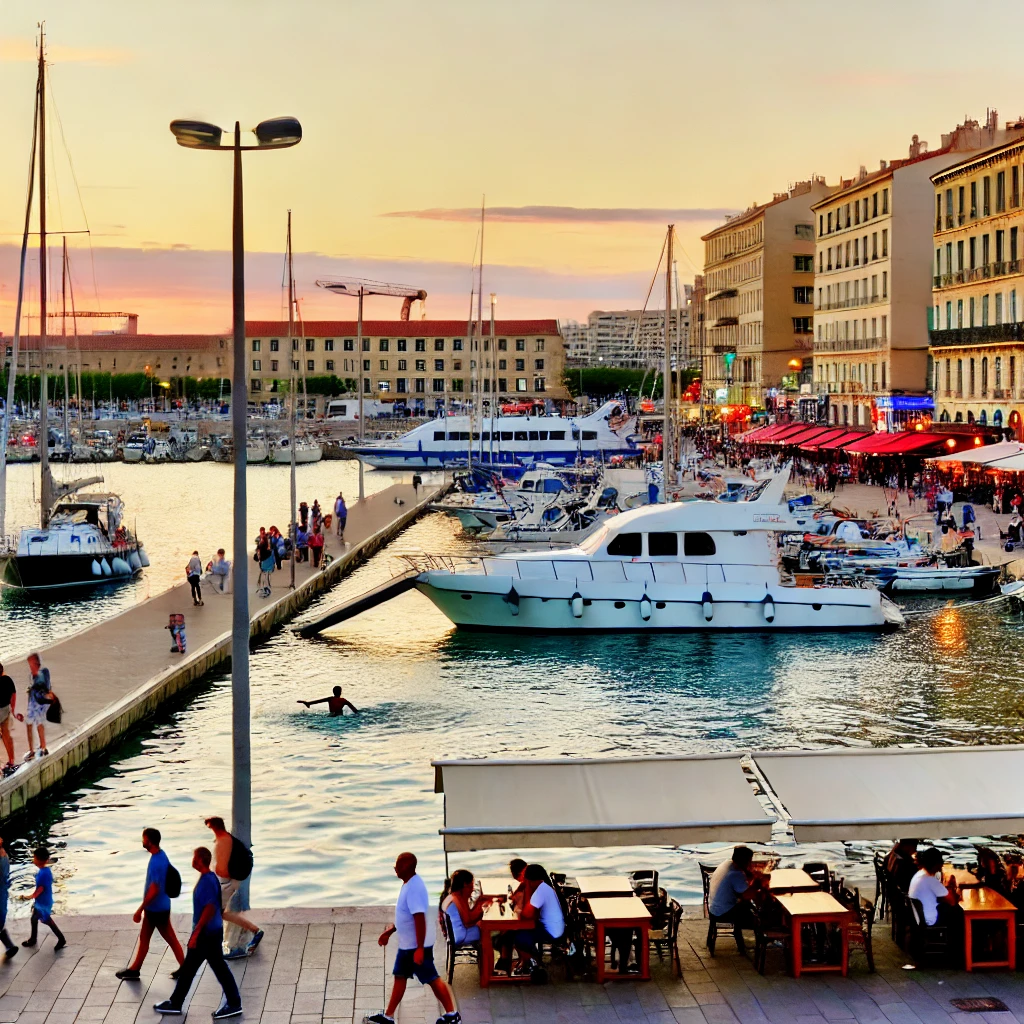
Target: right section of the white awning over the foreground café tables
883 794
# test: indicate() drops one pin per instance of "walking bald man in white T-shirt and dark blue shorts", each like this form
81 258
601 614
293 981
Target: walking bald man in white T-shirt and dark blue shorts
414 925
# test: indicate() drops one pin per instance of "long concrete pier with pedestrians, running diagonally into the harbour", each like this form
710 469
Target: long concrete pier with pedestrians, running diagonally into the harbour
112 676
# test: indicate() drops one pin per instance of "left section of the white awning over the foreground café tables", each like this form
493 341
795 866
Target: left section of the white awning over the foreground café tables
655 801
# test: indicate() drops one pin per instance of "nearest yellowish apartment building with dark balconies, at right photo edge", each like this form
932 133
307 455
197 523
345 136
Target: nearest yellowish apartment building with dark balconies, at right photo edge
977 317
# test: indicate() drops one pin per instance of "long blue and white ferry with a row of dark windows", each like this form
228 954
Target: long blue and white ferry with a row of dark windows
508 440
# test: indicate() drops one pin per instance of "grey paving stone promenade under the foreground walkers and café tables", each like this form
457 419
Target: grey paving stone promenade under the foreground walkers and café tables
325 967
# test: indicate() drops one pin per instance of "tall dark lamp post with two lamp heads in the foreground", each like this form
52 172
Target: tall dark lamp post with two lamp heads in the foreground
278 134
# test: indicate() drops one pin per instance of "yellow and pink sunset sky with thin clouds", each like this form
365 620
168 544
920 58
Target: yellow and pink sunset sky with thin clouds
586 124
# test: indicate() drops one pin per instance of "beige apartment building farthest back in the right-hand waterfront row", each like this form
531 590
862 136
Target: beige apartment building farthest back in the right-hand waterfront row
759 294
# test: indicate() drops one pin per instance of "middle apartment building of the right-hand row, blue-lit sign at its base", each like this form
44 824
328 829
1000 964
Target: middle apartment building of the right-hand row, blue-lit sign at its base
874 284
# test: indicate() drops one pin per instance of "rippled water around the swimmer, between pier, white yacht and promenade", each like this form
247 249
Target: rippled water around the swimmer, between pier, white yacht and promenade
336 799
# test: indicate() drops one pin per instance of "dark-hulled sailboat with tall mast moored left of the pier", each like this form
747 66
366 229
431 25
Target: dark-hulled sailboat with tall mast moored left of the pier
82 540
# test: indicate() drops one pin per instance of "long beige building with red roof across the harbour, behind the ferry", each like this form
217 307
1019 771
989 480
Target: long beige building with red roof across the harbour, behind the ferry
424 364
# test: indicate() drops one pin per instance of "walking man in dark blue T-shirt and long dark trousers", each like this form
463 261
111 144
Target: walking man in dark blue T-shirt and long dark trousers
205 946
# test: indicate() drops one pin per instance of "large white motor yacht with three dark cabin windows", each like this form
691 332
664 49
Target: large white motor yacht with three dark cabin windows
677 567
